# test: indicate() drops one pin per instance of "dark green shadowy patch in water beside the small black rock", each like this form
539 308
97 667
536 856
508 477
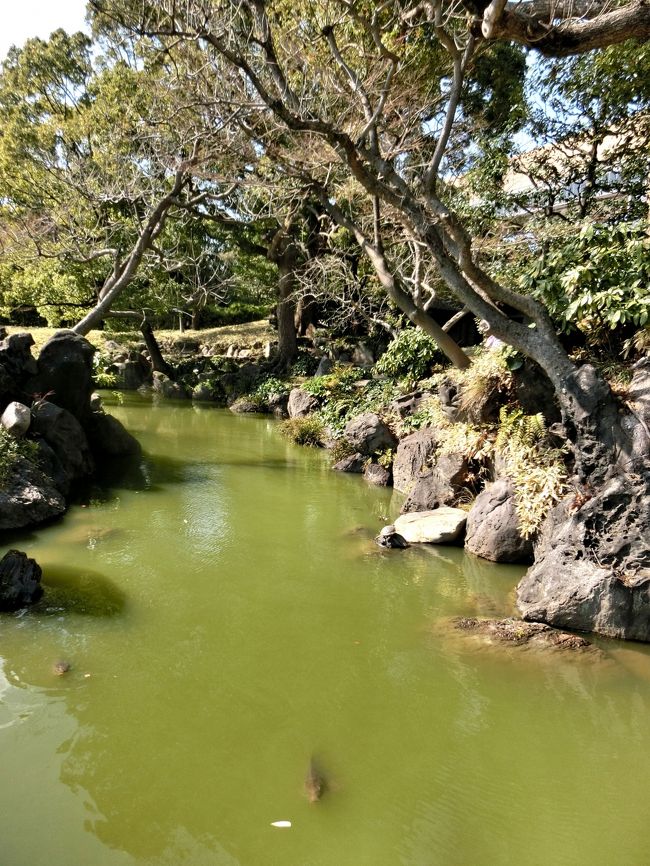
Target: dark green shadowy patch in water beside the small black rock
78 591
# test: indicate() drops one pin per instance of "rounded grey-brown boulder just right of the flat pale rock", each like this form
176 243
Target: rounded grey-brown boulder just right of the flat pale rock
493 526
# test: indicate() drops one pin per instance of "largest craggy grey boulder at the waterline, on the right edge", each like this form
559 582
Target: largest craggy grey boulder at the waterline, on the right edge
592 562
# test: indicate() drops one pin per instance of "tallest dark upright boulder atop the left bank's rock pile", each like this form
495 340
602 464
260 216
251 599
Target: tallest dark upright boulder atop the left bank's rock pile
65 373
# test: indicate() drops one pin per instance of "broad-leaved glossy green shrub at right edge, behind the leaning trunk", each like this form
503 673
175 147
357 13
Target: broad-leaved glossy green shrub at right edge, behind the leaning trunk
596 280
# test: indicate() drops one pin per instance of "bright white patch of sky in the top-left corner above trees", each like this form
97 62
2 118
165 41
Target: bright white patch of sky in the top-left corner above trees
22 19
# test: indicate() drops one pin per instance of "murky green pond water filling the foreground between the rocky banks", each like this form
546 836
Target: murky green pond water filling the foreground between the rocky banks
227 616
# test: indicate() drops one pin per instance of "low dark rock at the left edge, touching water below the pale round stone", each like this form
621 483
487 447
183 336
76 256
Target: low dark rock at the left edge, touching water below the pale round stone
28 496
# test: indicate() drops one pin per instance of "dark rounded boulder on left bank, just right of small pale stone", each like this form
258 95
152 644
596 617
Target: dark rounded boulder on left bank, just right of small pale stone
65 435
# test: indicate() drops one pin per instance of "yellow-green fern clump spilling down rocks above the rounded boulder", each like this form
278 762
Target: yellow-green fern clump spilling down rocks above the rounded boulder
536 468
